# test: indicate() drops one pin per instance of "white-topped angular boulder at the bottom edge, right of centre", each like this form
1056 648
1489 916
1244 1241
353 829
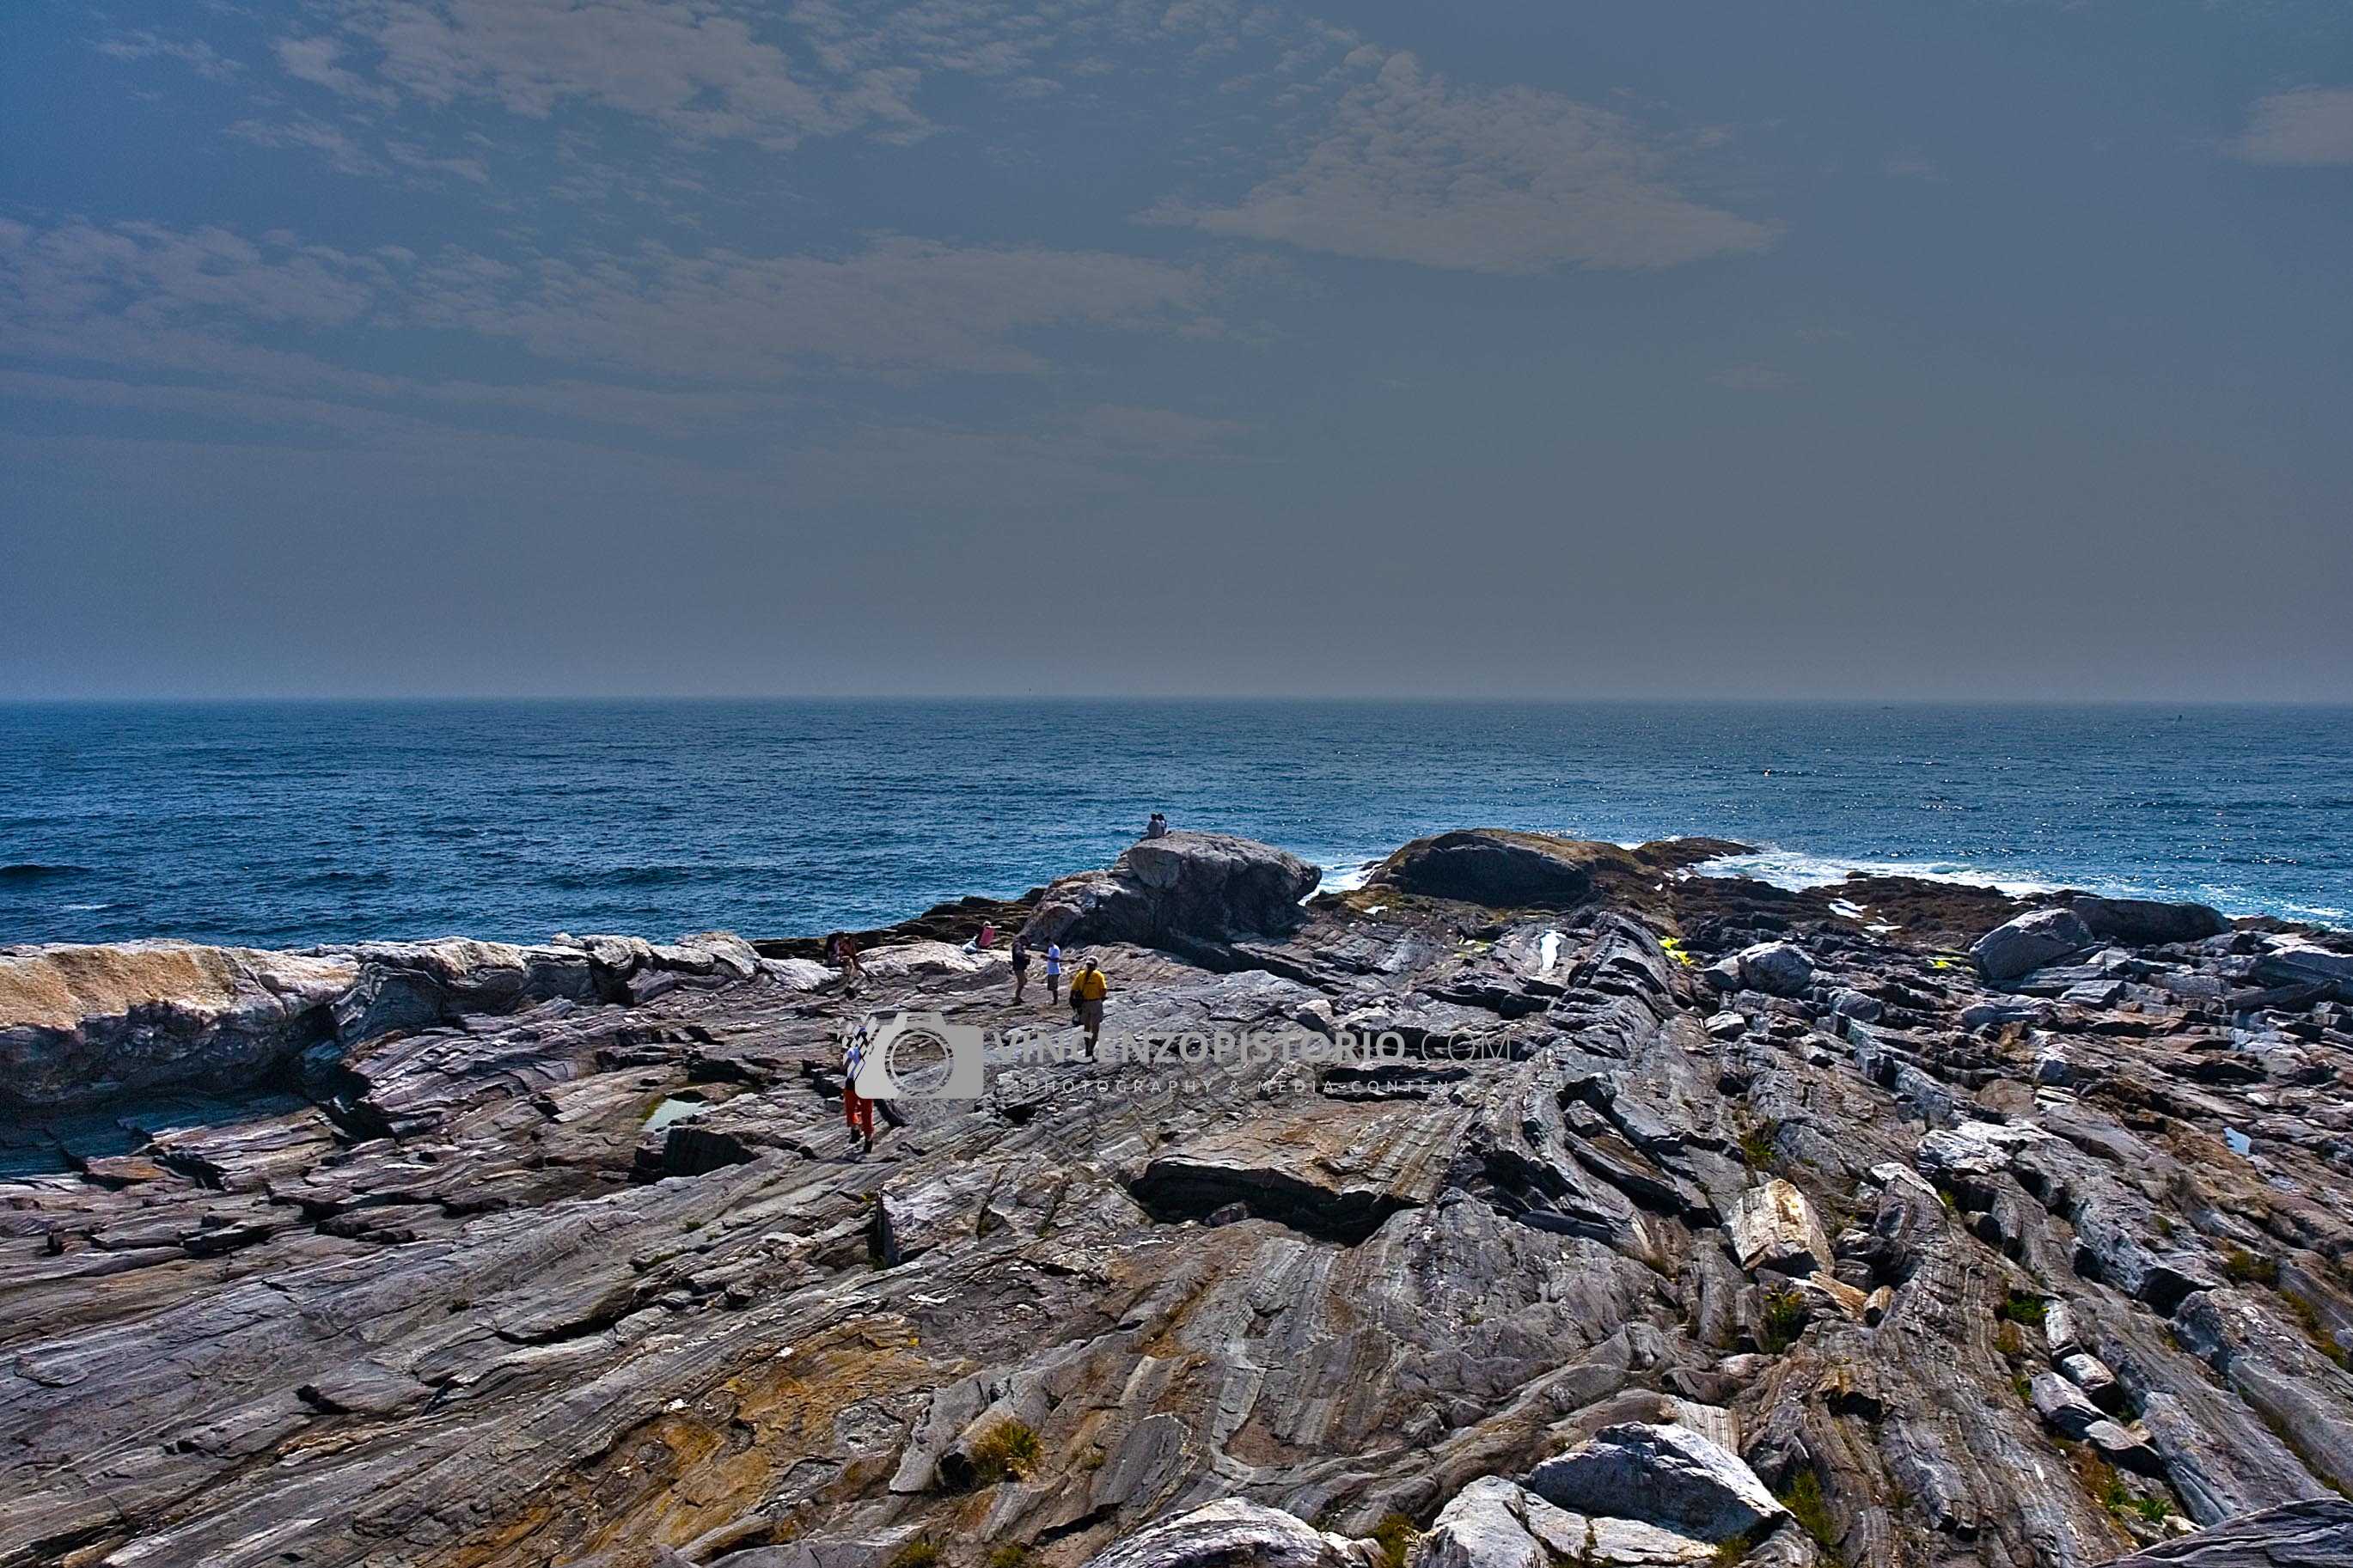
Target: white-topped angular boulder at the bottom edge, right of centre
1662 1475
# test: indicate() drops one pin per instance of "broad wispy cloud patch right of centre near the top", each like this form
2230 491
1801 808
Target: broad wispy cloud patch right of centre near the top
1512 180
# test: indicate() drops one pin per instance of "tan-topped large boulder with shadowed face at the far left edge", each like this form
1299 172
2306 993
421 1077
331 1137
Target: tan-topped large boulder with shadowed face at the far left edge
84 1024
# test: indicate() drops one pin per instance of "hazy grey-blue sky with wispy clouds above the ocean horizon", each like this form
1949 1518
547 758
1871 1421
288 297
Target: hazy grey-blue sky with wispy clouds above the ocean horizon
1900 349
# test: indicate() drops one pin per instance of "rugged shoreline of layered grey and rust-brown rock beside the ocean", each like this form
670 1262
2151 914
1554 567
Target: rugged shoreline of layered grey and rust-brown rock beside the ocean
1879 1224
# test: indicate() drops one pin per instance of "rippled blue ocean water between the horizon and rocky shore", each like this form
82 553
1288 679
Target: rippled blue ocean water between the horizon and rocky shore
286 824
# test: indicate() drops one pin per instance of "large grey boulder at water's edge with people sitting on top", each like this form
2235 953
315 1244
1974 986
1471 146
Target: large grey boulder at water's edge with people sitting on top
1178 890
